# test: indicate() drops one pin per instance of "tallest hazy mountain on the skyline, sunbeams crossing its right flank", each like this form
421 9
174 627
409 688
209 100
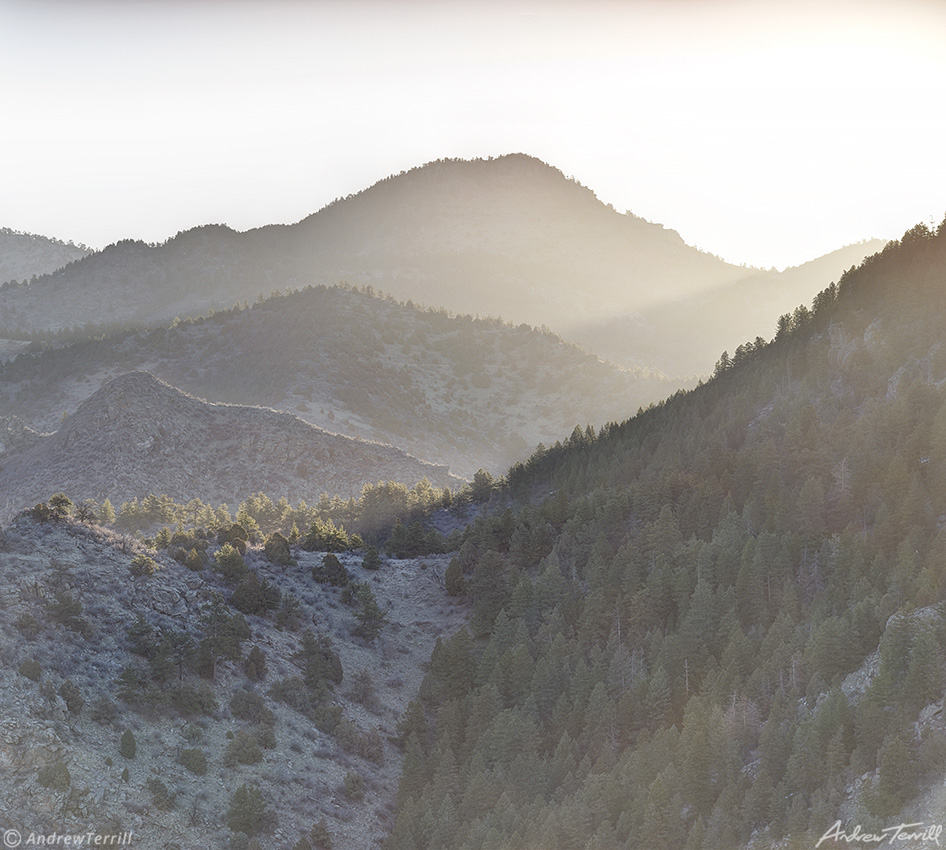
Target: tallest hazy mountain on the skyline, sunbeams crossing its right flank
510 237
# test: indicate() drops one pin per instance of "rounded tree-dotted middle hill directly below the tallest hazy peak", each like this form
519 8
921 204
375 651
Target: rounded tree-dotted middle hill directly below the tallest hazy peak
453 390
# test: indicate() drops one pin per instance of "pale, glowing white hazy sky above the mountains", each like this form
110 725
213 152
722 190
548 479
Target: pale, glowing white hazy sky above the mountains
765 132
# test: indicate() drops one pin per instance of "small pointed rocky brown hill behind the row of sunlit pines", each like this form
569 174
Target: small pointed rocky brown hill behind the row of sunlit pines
137 435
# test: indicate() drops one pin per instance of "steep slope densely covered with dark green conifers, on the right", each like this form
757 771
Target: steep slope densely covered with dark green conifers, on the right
666 617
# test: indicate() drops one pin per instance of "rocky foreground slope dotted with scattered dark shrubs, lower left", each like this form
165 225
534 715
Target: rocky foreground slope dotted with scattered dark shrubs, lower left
212 698
